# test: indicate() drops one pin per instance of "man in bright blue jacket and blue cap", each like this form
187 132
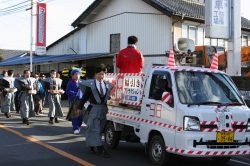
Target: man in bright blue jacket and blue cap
74 98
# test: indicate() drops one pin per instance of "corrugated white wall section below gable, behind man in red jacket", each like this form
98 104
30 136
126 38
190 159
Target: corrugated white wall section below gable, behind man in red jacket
152 30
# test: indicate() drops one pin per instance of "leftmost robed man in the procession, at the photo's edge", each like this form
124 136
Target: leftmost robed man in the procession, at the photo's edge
7 95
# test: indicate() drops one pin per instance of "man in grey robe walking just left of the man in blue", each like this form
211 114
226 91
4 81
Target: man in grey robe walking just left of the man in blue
52 85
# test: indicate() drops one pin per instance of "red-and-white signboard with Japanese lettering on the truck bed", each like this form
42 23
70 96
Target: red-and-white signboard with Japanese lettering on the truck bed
128 88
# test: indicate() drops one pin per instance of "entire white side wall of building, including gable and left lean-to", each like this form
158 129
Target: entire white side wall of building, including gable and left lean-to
152 28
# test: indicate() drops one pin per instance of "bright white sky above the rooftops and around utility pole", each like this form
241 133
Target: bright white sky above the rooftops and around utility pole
15 28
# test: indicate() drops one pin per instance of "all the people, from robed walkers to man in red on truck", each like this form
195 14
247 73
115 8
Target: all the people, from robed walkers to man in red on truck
26 95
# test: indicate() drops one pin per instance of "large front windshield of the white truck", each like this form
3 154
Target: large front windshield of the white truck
202 87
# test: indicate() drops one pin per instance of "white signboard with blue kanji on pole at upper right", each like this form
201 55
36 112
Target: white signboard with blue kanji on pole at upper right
217 19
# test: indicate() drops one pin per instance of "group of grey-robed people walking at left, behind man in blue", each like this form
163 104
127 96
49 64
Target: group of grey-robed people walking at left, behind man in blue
26 95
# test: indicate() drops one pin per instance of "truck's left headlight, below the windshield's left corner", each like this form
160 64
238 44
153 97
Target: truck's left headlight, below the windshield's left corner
191 123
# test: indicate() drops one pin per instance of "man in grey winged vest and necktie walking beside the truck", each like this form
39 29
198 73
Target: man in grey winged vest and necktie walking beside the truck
97 92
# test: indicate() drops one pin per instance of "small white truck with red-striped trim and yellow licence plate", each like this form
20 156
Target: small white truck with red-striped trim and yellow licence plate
188 111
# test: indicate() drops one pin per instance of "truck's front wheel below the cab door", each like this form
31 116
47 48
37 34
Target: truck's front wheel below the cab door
157 151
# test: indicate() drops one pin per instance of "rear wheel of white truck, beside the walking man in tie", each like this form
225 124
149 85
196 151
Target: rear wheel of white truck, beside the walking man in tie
111 136
